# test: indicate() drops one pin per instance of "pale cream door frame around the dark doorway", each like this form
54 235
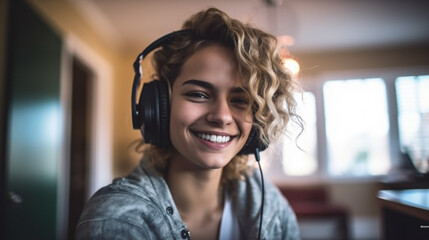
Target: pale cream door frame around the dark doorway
100 165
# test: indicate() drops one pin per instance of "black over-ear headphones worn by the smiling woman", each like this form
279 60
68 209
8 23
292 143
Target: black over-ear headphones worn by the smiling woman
153 110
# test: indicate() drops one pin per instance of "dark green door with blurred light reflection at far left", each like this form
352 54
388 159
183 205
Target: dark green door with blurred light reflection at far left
34 125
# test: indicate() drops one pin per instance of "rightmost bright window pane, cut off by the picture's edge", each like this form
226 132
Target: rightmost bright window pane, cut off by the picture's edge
413 118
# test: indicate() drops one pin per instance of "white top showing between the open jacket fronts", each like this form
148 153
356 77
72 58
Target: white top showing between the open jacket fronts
229 228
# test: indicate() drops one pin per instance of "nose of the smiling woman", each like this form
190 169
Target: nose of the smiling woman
220 113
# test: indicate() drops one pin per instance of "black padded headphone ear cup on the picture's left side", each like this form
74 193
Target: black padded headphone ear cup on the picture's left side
154 106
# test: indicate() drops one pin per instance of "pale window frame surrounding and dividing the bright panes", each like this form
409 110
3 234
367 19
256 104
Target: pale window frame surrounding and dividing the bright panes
313 82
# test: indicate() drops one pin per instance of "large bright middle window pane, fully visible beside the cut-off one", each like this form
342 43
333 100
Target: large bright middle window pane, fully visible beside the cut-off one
357 127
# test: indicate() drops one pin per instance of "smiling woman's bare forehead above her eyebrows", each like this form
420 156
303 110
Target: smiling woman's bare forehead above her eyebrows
213 63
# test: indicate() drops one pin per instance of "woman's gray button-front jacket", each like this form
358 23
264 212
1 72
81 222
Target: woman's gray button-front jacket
140 206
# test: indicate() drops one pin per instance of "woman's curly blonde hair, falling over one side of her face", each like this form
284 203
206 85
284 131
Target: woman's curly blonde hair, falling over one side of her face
269 85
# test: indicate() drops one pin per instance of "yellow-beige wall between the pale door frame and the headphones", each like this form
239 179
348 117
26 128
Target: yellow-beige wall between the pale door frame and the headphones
67 18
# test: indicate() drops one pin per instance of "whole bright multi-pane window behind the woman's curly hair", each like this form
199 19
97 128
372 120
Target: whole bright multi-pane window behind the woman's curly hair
355 138
